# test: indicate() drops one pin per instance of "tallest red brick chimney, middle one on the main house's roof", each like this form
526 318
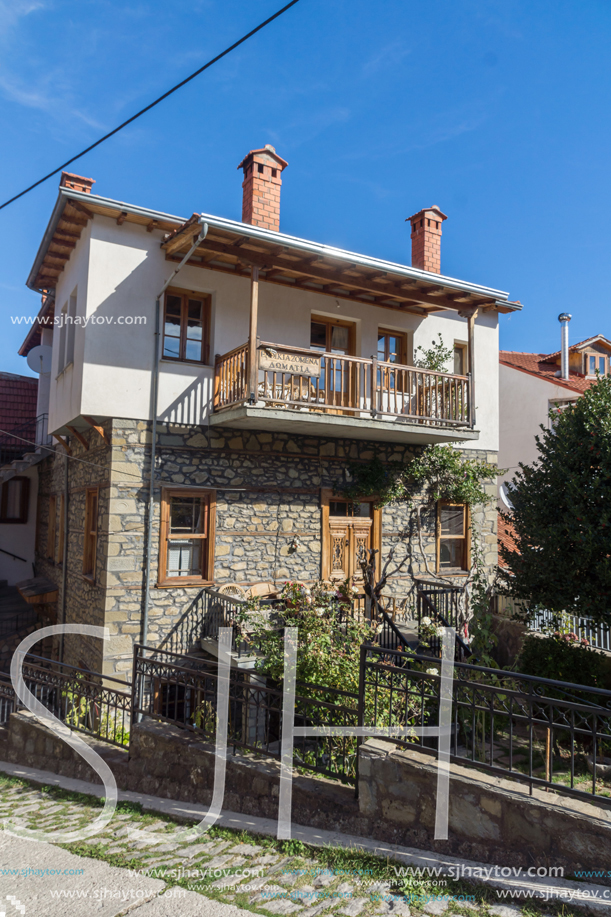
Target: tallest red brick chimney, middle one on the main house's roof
261 187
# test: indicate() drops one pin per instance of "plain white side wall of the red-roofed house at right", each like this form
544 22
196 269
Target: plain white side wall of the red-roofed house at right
524 402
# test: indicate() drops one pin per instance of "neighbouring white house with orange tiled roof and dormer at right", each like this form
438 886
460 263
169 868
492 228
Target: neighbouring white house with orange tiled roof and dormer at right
532 384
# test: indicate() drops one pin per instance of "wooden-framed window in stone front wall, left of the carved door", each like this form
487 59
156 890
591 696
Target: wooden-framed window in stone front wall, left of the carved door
186 550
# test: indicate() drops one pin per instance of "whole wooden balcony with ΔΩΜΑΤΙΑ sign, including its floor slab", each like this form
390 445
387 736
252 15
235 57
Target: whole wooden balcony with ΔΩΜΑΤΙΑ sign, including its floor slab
307 391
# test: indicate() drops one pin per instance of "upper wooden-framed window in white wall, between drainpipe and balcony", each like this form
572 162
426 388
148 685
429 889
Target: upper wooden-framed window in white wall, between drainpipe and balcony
186 327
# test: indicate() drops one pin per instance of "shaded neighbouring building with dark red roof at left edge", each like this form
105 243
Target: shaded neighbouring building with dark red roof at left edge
18 476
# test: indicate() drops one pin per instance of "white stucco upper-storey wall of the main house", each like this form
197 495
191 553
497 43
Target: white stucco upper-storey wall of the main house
120 269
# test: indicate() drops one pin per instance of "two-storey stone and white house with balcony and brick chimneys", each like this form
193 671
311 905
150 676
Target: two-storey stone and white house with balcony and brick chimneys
276 361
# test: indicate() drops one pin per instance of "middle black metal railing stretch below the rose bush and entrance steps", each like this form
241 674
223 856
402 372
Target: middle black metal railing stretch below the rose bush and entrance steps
183 692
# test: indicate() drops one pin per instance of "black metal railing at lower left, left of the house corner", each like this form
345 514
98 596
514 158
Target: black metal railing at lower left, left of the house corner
83 700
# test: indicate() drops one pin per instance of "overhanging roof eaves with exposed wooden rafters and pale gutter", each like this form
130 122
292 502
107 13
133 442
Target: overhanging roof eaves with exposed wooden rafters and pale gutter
234 247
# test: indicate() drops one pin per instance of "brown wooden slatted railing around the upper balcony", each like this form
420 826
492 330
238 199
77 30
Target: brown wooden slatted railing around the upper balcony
345 385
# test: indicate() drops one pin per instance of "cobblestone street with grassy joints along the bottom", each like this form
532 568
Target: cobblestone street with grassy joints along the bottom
220 872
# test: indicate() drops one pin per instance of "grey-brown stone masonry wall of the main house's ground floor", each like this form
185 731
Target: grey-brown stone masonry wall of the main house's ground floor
268 490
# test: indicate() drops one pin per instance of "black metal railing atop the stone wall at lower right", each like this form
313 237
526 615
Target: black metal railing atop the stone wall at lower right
534 730
